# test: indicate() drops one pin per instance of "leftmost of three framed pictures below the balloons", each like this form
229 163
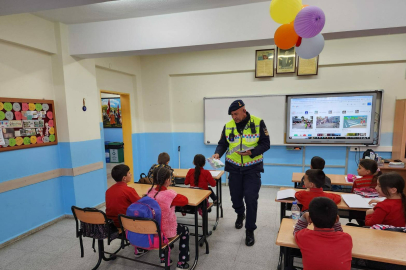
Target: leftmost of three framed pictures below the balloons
264 63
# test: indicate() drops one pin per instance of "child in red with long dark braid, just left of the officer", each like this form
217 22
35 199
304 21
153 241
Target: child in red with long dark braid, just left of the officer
199 177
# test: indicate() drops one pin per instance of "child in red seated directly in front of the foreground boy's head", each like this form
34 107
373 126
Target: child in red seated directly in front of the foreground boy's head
314 180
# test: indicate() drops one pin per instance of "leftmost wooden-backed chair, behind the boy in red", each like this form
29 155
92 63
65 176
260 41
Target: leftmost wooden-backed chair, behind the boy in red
95 224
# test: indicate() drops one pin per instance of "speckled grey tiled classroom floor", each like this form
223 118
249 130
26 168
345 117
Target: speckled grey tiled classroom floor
57 248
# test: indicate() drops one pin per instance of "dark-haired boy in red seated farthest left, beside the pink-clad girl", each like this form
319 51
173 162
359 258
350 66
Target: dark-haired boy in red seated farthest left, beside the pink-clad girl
119 196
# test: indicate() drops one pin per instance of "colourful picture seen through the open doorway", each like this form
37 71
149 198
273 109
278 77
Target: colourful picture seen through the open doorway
111 113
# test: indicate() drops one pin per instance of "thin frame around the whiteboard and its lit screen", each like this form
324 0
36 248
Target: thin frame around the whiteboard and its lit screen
382 91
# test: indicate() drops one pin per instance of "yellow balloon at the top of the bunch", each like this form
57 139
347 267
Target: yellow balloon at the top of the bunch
284 11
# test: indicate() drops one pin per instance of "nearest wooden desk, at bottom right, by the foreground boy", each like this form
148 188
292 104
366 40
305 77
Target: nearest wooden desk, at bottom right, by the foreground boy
367 243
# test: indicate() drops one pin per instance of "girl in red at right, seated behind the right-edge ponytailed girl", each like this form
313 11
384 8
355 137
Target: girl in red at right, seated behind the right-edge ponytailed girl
369 171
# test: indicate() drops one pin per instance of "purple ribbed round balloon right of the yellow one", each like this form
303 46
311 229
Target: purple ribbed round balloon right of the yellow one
309 22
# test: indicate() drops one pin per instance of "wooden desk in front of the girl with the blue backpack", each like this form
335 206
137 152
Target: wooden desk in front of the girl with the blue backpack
196 198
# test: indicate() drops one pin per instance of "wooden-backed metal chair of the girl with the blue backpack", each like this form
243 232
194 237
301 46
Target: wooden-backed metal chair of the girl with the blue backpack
145 226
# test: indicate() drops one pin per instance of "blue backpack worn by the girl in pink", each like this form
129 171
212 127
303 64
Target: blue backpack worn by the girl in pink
146 207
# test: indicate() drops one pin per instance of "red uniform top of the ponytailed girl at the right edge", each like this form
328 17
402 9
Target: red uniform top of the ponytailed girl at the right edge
388 212
